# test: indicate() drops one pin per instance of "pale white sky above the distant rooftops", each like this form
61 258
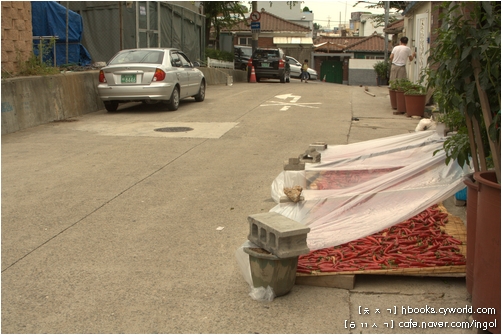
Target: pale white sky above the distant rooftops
332 11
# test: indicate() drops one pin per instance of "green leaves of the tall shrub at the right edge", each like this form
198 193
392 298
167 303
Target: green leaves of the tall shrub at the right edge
469 33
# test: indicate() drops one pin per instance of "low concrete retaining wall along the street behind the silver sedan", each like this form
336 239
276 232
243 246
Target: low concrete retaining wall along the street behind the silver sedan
32 101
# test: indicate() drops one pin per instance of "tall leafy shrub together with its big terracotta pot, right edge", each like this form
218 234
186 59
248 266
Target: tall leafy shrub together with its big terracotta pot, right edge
465 66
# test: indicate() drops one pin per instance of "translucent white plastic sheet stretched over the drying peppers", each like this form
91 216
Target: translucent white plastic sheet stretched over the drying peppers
379 183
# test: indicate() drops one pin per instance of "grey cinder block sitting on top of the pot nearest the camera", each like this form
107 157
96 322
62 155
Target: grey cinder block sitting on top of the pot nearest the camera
278 235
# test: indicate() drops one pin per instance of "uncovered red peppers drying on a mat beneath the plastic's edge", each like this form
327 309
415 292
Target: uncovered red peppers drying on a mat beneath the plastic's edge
417 242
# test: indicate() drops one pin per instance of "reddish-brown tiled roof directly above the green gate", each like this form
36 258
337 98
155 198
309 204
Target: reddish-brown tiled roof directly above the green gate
373 43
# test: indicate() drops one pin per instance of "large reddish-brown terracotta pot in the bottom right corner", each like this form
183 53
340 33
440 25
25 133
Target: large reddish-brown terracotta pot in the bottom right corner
486 286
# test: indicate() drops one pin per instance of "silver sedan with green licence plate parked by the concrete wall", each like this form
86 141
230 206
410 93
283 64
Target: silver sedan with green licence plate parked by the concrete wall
150 75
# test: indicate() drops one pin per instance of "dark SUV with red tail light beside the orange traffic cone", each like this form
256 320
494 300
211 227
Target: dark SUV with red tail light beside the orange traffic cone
269 63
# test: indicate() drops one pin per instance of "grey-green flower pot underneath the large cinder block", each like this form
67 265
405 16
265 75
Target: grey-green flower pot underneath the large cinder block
270 270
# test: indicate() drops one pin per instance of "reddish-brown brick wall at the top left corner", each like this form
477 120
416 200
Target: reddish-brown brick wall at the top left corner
17 34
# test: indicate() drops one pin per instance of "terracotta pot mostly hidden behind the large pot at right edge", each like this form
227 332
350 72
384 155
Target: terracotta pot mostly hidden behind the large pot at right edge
472 205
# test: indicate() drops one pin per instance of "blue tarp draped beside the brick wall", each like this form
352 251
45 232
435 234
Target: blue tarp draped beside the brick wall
49 19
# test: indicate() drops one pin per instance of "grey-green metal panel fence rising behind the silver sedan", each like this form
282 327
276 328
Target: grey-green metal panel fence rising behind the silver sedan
113 26
